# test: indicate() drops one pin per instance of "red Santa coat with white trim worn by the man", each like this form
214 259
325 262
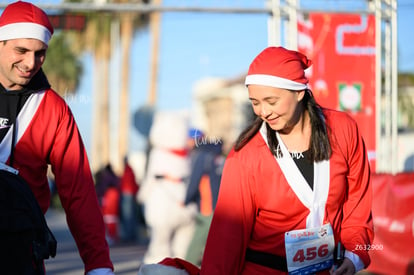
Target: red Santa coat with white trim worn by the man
47 134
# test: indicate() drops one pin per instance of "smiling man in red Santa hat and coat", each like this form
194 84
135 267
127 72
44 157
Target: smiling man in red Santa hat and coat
38 129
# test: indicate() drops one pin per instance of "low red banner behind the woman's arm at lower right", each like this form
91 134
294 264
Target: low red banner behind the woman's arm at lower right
392 251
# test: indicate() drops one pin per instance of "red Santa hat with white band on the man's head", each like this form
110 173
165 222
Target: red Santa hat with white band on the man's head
25 20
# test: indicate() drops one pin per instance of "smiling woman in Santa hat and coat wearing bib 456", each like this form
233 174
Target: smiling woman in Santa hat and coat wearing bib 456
296 185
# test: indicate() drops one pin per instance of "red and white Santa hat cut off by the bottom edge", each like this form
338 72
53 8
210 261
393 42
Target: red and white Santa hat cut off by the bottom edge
170 266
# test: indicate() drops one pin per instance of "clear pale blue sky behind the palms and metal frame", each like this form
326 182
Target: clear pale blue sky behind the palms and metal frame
199 45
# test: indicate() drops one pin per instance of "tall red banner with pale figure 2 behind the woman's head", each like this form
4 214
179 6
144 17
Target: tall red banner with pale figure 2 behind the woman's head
342 48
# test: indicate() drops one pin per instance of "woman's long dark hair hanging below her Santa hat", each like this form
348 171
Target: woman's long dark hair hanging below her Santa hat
320 148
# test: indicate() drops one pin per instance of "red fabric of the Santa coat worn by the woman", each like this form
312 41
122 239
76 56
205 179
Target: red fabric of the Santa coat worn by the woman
257 204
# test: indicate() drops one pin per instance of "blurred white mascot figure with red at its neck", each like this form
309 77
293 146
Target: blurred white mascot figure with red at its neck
163 190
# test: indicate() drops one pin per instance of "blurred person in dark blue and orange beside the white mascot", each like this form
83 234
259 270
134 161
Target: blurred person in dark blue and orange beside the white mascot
206 166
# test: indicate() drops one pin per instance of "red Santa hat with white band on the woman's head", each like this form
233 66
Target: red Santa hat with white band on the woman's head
280 68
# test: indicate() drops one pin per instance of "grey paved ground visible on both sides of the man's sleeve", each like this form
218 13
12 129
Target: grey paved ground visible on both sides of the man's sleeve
126 257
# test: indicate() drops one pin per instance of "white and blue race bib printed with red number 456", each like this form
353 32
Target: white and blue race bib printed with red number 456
309 250
